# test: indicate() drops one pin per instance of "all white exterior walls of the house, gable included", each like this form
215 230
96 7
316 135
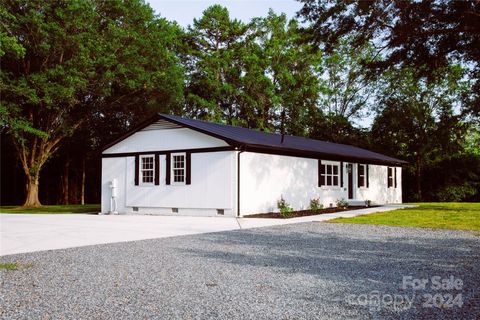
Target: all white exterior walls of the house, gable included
264 179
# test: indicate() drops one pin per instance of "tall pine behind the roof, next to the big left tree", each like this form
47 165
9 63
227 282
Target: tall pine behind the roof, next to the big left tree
213 65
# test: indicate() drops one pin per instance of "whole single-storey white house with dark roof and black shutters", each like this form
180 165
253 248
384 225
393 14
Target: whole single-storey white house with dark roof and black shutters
175 166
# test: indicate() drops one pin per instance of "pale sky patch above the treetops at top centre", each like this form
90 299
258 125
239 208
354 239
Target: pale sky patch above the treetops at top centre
183 11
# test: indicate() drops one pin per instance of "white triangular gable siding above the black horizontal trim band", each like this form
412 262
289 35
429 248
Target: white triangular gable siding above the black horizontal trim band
167 139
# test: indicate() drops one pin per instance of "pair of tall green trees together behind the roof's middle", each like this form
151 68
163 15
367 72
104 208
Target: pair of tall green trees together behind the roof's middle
246 74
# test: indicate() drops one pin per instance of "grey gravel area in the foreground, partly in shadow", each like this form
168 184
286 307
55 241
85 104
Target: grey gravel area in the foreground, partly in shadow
298 271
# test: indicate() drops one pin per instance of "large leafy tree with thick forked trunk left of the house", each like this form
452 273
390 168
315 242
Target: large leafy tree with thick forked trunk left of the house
80 59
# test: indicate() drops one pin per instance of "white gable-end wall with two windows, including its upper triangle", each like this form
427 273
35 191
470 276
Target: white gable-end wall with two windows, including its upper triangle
213 176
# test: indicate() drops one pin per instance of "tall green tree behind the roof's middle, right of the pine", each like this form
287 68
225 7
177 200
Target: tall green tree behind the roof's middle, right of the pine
288 69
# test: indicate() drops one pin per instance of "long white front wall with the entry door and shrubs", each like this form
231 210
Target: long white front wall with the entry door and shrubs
264 178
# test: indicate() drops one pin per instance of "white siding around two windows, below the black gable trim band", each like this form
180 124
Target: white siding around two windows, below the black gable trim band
212 186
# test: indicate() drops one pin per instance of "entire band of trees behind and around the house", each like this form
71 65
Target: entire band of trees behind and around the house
398 77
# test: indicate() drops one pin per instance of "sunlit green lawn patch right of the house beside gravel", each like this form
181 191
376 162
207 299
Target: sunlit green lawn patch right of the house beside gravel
443 215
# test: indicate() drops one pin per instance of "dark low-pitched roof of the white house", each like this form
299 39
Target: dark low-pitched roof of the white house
259 141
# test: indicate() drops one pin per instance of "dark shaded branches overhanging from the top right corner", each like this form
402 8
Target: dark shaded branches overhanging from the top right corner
429 35
